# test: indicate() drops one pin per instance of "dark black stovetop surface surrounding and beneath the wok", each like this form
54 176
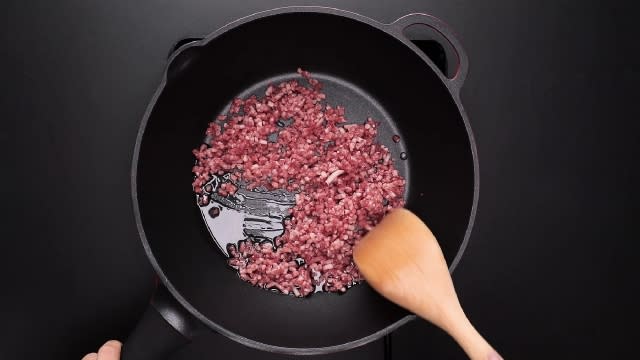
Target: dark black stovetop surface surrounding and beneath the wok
551 98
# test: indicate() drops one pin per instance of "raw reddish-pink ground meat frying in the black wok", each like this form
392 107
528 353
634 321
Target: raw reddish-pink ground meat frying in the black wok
343 179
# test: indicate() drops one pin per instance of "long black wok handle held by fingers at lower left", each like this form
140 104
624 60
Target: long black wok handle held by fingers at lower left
164 328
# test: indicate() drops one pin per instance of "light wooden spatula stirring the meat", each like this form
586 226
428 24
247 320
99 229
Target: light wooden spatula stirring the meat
402 260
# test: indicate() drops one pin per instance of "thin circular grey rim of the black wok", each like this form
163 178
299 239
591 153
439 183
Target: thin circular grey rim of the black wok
134 167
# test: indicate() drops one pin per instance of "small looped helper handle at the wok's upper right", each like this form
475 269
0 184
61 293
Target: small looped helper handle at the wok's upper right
428 27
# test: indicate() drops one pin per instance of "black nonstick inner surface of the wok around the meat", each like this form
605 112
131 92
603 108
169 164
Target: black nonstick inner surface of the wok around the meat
365 69
